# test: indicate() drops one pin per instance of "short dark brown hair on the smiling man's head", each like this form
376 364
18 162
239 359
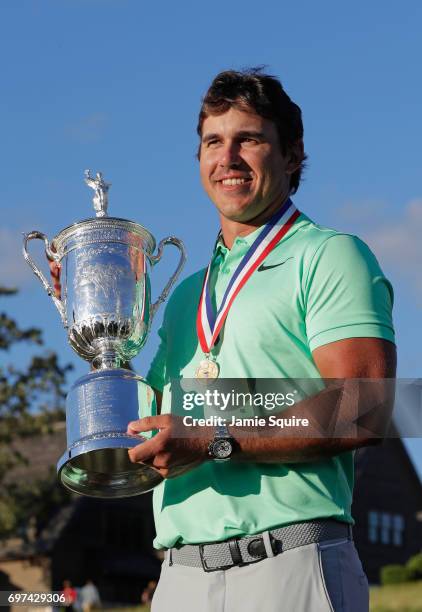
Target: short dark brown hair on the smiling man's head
264 94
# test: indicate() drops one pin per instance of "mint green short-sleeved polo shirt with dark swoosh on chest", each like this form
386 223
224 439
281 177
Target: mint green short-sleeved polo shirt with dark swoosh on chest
317 286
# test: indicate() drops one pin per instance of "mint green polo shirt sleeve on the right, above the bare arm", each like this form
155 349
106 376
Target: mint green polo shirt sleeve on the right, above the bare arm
346 294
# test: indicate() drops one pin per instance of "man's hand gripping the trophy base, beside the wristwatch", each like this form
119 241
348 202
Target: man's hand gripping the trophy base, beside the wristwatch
175 449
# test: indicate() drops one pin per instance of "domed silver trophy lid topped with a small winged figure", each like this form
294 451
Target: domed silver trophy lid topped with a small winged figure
102 228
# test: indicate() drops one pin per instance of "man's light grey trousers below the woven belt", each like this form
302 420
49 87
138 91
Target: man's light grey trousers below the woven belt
323 577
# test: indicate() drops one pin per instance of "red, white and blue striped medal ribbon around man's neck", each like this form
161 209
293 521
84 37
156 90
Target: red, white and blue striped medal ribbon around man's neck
209 323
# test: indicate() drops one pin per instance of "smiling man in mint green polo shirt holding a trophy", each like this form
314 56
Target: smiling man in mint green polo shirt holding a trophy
262 523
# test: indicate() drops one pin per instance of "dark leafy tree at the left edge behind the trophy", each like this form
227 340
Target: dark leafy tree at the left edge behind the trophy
31 400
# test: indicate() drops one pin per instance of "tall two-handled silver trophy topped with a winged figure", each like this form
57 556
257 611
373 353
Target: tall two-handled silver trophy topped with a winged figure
105 306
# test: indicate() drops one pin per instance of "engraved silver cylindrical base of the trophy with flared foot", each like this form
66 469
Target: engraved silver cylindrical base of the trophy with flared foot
98 409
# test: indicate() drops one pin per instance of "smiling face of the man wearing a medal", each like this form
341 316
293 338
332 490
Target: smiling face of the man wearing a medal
242 167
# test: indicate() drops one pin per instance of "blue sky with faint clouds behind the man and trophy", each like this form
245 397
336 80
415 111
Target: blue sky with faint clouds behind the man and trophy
115 85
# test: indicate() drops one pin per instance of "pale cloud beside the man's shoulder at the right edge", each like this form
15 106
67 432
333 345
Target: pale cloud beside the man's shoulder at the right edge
397 241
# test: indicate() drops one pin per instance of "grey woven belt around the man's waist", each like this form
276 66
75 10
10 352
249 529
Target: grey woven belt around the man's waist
244 550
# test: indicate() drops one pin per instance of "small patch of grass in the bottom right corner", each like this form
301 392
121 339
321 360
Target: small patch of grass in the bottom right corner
405 597
